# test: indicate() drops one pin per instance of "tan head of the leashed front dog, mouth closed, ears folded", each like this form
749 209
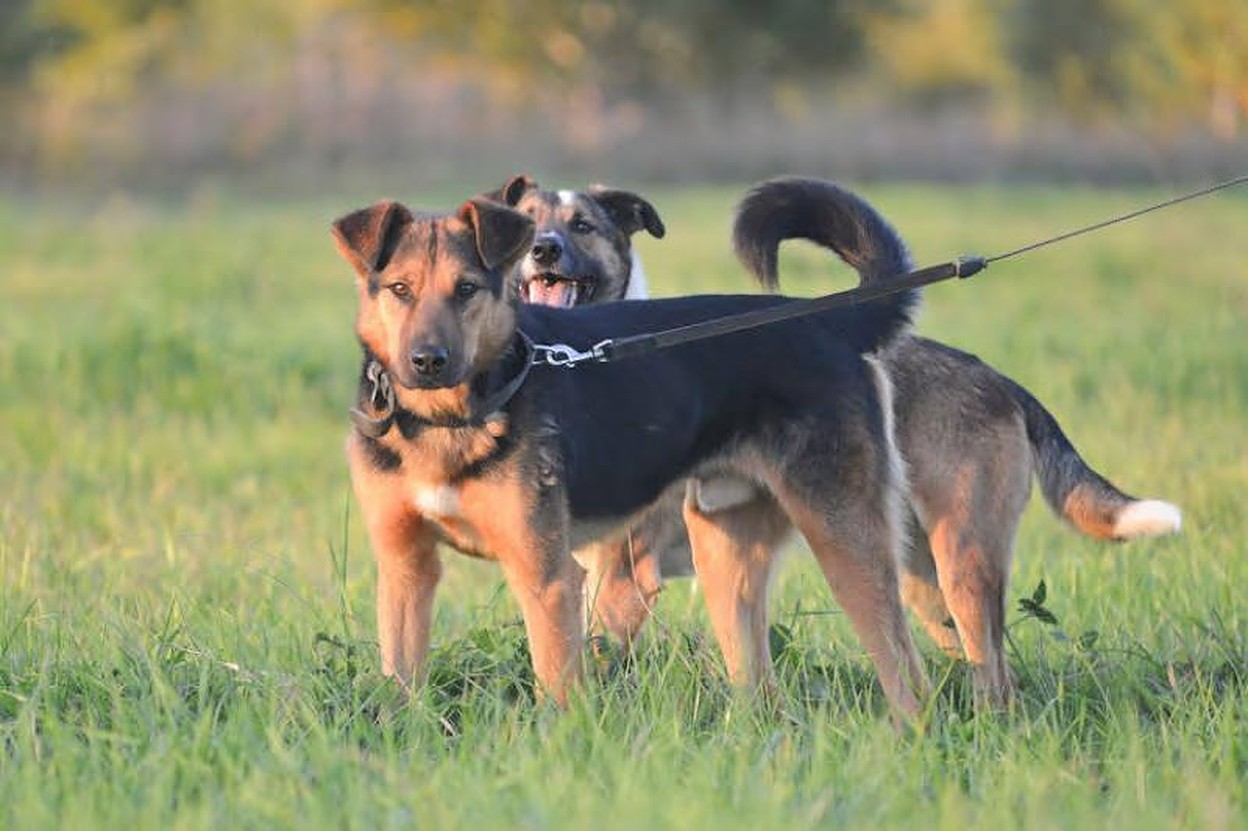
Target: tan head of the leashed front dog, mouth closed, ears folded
435 303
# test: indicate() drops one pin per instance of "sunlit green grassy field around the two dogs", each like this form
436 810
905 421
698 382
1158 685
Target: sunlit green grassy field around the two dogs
187 634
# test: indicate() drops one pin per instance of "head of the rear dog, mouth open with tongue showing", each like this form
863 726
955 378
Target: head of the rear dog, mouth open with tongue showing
583 243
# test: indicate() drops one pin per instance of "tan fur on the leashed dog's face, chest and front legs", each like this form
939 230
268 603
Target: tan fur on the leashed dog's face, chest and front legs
492 517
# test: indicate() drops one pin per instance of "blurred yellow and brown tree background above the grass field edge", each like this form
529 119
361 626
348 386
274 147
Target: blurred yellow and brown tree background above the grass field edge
162 93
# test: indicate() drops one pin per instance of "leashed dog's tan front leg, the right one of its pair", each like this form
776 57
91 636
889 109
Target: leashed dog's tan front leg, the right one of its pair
547 582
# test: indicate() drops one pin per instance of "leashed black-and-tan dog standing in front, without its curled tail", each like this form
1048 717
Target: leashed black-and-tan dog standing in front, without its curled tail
462 439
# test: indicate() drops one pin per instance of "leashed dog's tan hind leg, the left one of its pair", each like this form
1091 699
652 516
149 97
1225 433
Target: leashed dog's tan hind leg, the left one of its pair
733 553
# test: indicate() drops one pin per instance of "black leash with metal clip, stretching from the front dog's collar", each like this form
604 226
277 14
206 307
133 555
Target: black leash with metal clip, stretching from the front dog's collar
562 355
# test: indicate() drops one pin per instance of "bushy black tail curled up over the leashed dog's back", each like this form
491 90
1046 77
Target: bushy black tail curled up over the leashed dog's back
831 216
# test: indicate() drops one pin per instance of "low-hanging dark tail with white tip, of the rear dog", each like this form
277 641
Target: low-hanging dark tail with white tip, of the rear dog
1080 495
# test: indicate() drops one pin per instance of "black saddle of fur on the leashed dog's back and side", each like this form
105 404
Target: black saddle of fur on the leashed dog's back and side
663 415
